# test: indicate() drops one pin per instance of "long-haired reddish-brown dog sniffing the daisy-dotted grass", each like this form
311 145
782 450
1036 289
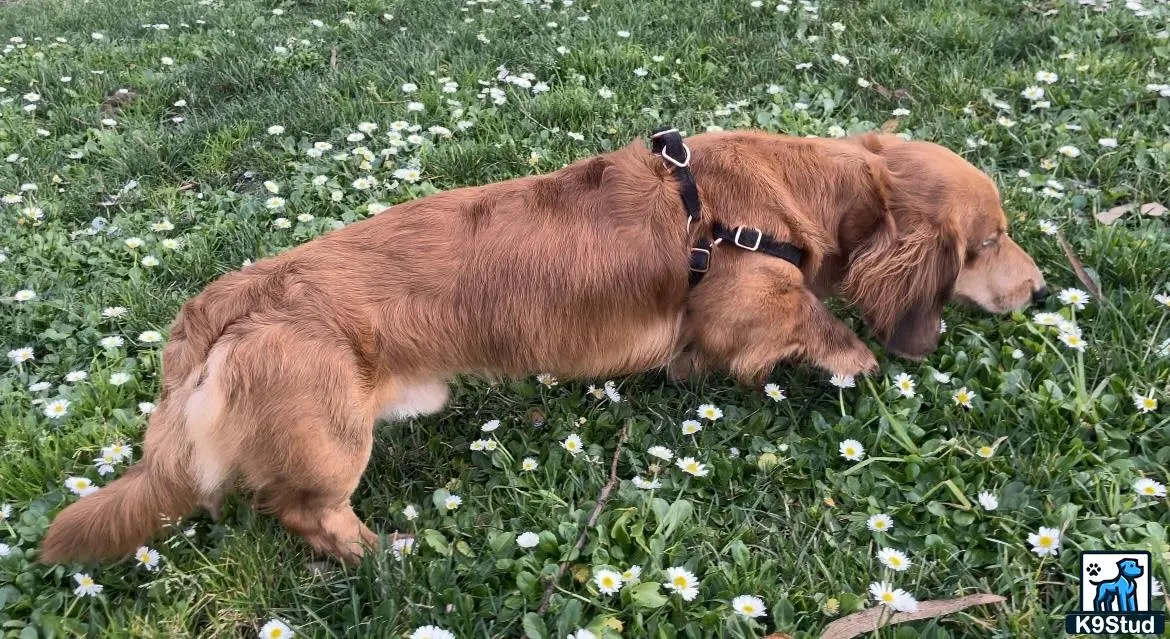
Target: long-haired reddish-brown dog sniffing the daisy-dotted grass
276 375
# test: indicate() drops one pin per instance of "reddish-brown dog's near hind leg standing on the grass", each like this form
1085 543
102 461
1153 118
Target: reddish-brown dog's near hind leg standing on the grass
311 432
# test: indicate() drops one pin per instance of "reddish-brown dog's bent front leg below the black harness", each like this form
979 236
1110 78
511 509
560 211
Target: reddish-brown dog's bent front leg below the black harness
759 314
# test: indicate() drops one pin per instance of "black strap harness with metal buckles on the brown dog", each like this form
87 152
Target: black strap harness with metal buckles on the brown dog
667 143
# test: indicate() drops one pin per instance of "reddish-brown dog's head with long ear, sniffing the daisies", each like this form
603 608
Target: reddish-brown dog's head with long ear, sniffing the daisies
941 235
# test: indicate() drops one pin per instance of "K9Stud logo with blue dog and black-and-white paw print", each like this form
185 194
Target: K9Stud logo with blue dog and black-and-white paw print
1117 589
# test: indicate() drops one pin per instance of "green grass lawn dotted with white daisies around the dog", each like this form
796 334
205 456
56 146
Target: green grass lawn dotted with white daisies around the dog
782 516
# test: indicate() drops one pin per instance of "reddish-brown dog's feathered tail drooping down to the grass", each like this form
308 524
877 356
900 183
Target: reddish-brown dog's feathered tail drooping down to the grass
166 485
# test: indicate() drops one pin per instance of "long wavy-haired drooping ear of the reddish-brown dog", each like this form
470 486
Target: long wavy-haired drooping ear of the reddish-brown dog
904 274
